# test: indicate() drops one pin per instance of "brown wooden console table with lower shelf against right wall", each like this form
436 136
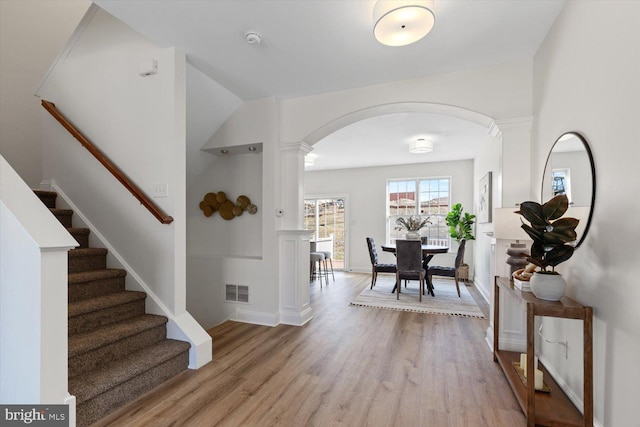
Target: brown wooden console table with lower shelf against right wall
553 408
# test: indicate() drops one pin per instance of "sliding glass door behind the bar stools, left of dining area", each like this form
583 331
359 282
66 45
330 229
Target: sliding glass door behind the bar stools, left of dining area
326 218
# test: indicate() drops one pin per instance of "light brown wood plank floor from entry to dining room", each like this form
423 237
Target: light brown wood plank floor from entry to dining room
349 366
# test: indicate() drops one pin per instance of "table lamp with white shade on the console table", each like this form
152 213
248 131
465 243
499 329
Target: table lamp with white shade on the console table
506 226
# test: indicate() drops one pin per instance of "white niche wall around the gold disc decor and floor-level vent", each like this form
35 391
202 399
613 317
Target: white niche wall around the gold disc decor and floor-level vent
243 250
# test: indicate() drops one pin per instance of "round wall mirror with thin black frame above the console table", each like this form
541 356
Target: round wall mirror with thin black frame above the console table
570 170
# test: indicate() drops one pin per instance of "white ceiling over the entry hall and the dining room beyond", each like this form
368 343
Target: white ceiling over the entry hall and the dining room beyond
316 46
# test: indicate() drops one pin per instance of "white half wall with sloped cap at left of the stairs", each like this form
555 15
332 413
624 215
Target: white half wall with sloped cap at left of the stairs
33 296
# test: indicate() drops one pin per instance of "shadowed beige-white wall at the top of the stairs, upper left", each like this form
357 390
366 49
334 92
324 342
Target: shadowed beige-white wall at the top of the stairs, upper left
31 35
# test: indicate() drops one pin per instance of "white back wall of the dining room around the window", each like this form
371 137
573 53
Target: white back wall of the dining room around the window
366 189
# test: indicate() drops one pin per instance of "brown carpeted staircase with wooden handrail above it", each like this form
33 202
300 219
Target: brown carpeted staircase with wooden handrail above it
116 350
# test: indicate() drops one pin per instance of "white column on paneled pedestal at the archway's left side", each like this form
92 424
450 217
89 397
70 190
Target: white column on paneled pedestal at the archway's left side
293 240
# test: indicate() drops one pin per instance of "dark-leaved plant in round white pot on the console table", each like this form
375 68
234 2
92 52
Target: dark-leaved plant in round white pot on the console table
553 238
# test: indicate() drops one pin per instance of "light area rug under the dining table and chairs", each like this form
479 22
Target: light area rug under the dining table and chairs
446 300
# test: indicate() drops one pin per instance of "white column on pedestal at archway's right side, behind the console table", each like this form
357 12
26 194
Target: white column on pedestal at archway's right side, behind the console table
514 184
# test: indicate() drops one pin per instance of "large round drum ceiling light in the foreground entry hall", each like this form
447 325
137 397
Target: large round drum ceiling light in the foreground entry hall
402 22
